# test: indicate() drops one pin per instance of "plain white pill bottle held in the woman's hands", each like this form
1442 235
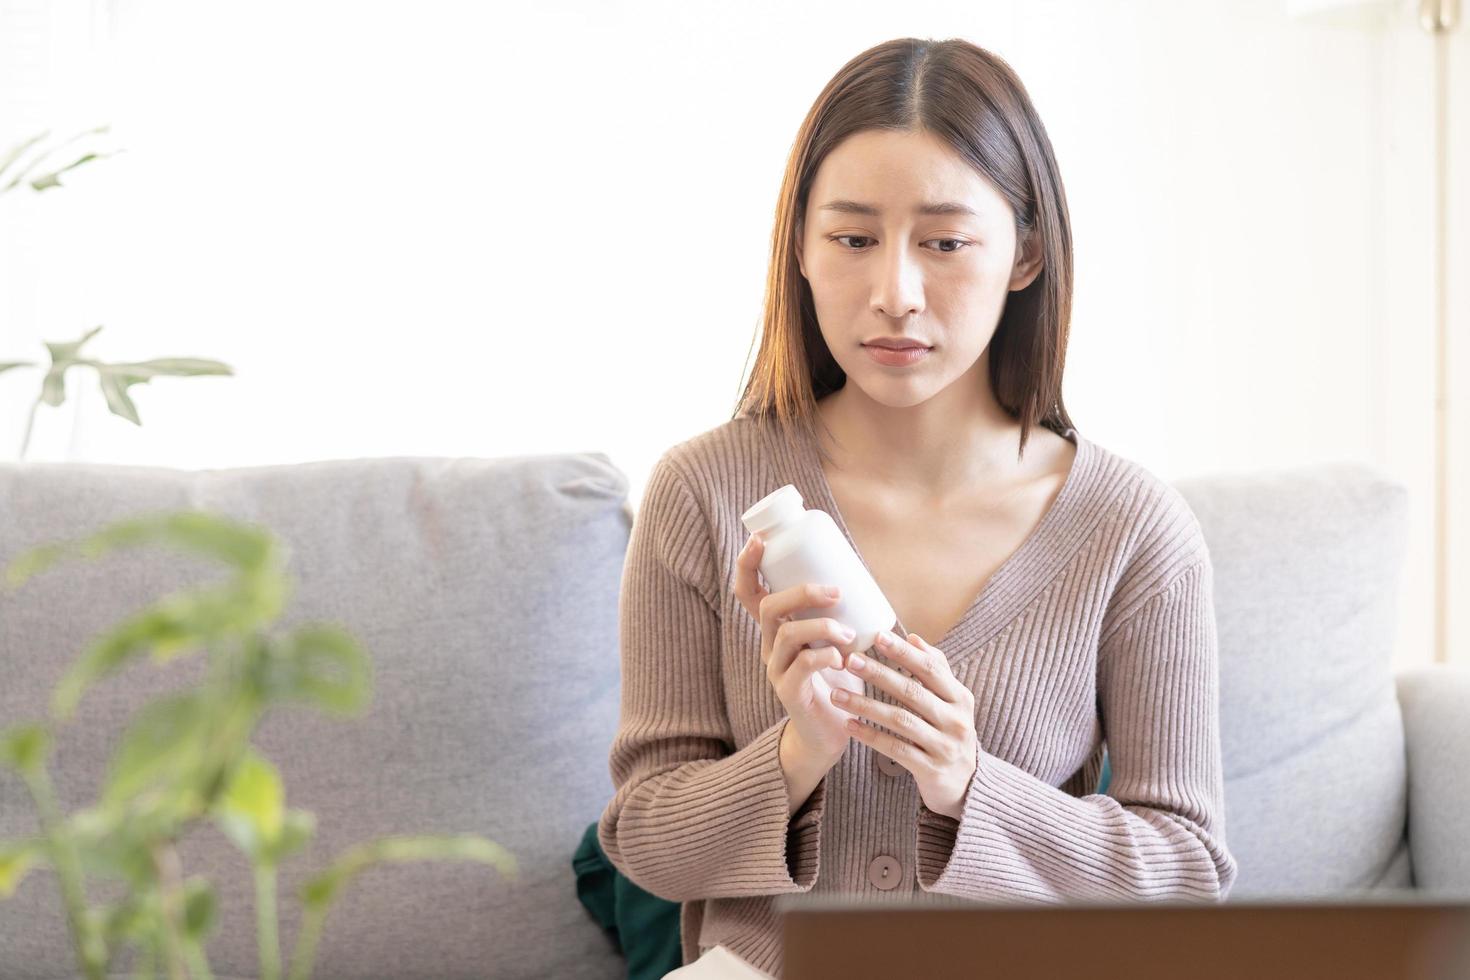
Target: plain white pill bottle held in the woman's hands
808 547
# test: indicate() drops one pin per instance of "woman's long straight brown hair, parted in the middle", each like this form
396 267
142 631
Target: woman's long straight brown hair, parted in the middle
974 102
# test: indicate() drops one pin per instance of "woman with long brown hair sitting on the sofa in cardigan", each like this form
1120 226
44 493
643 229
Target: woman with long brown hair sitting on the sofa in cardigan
1055 602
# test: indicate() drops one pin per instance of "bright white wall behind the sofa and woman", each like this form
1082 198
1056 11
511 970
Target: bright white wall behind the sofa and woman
471 230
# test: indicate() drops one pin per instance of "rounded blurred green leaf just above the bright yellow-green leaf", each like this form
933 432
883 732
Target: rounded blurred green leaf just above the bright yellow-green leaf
321 665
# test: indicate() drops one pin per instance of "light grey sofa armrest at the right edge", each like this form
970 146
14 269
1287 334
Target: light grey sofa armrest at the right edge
1435 703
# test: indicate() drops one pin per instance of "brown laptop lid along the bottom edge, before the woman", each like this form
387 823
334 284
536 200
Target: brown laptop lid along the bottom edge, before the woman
1400 935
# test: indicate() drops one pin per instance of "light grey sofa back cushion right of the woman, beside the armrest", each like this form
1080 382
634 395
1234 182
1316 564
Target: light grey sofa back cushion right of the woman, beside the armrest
1308 569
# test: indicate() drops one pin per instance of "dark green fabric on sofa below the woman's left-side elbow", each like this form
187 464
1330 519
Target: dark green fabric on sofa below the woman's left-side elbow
645 926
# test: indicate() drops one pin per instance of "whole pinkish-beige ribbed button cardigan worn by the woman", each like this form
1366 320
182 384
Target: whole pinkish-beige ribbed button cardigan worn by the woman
1100 627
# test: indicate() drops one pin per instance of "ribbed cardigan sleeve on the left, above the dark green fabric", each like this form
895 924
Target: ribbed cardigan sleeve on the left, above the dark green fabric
693 816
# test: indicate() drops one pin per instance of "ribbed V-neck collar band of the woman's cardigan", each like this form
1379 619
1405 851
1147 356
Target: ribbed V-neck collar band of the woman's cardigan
1018 581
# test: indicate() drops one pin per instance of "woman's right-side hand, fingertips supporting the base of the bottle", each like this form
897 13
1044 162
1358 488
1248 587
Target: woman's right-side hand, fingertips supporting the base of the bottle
937 728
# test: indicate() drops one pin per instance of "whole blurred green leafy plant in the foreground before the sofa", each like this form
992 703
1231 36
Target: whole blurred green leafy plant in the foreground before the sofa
187 757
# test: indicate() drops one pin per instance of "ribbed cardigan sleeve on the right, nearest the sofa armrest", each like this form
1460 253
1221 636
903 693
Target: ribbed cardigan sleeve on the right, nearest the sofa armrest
1159 834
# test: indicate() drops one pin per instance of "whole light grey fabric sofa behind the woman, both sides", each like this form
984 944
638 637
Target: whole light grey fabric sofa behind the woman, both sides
487 594
